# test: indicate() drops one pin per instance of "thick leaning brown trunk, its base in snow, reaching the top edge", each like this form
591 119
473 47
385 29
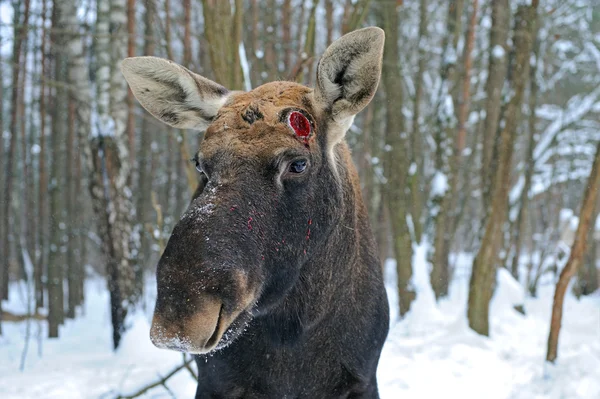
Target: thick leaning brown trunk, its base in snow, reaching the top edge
484 265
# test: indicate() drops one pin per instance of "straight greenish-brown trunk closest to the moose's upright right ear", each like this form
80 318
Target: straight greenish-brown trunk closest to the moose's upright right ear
396 168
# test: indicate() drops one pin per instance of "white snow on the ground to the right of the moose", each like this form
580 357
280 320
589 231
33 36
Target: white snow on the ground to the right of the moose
436 355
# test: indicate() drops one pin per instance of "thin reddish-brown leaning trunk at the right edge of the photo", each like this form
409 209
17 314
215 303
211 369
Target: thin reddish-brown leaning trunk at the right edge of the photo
577 251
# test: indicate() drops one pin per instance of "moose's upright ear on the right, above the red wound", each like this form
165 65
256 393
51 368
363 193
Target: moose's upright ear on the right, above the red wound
348 75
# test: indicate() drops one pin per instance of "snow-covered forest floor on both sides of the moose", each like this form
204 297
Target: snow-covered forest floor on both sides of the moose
431 353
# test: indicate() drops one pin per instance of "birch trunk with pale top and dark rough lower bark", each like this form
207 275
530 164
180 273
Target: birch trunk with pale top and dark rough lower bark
109 166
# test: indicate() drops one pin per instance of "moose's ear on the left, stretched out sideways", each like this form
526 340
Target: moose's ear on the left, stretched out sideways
172 93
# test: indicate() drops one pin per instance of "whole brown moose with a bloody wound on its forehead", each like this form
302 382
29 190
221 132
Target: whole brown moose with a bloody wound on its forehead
271 277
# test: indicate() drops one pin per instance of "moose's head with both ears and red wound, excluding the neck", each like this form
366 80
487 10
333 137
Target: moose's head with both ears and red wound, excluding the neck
269 192
